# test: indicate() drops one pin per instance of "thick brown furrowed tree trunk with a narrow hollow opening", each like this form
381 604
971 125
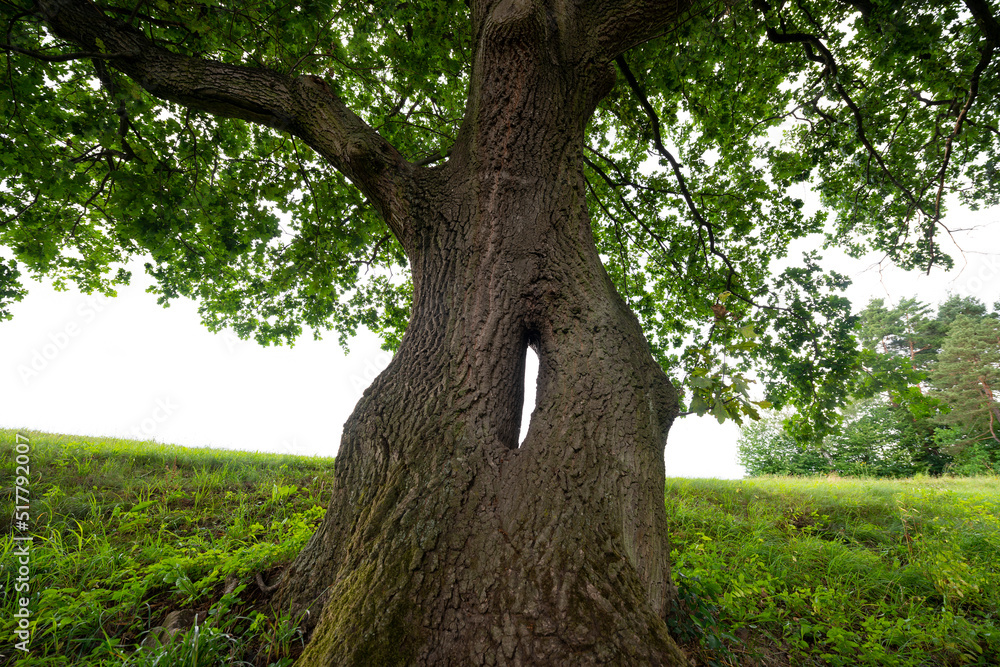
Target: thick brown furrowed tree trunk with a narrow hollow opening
445 543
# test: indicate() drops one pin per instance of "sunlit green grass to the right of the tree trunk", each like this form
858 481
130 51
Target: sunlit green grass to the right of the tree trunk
817 571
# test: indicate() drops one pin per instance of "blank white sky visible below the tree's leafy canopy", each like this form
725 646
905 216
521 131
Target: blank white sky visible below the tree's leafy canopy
86 365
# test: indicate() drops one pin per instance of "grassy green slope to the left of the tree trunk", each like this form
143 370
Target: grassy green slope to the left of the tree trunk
124 532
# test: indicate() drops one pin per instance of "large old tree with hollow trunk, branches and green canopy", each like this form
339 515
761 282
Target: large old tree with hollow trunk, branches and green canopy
603 181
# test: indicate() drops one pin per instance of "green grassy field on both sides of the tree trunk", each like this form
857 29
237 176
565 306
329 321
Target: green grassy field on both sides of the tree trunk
776 571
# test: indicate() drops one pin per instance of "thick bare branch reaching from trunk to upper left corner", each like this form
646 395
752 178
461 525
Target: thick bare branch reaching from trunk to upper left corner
304 106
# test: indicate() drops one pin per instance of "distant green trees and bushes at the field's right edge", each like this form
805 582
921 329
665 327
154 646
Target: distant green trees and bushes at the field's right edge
923 399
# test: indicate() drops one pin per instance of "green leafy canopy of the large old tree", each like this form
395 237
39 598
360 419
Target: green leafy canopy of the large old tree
696 165
